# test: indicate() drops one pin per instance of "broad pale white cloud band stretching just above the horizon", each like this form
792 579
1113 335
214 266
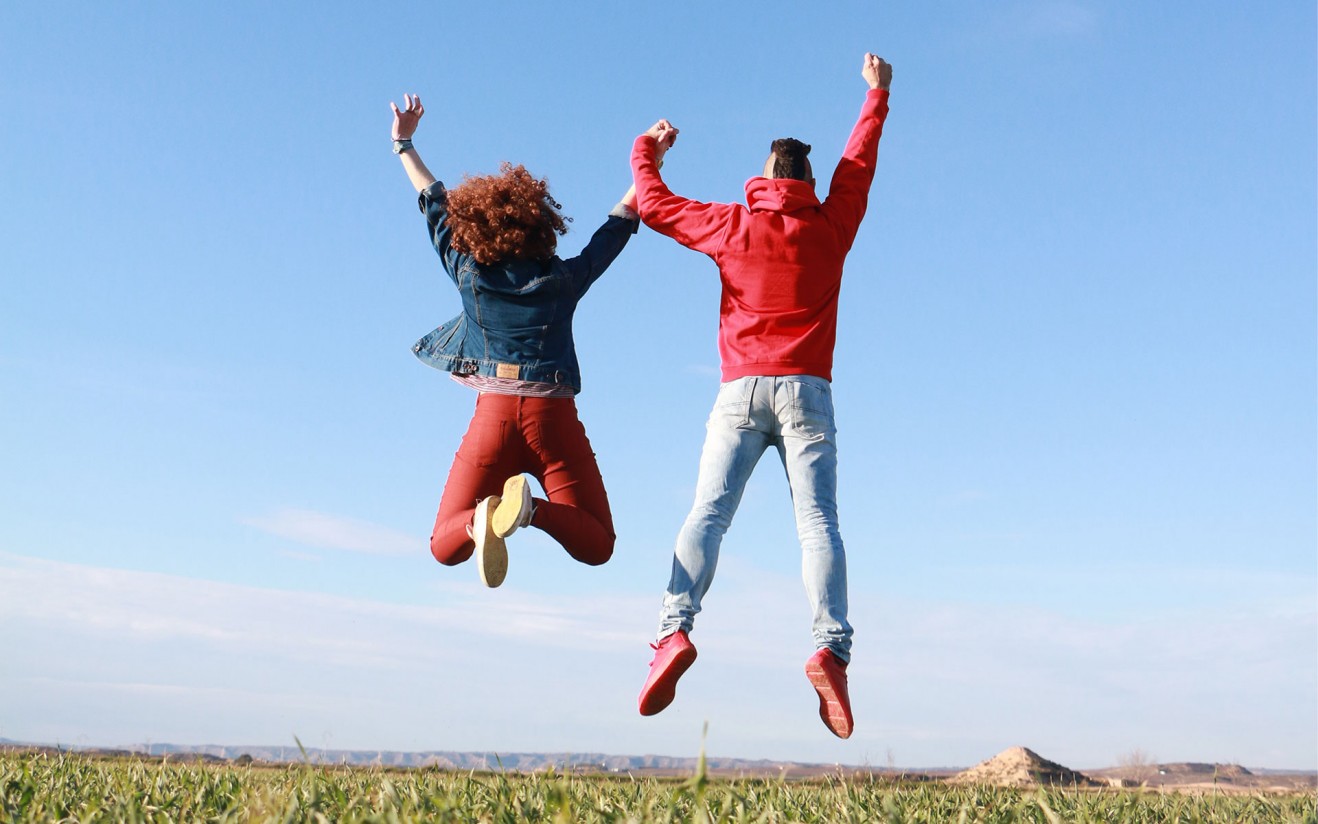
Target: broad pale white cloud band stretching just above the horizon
119 655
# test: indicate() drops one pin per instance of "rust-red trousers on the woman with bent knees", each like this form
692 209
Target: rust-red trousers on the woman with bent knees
542 437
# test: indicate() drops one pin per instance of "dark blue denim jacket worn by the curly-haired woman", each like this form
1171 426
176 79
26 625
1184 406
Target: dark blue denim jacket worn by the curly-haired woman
517 316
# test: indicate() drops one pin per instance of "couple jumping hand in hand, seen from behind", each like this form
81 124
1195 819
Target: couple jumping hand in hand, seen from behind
780 259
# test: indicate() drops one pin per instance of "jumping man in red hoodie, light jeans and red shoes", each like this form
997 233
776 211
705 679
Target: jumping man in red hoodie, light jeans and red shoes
781 263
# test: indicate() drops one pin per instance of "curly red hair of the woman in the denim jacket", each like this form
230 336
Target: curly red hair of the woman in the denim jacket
505 217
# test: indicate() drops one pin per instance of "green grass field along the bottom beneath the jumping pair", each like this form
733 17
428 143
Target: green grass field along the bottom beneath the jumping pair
67 788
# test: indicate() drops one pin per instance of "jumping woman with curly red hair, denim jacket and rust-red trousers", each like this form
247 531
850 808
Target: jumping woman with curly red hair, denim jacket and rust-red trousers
496 238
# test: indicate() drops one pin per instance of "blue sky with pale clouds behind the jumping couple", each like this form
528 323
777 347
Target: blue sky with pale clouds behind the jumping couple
1075 379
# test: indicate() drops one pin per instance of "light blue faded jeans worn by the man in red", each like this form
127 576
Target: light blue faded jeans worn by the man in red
794 415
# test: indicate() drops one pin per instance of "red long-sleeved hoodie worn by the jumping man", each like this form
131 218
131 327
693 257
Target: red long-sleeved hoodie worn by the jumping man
780 258
